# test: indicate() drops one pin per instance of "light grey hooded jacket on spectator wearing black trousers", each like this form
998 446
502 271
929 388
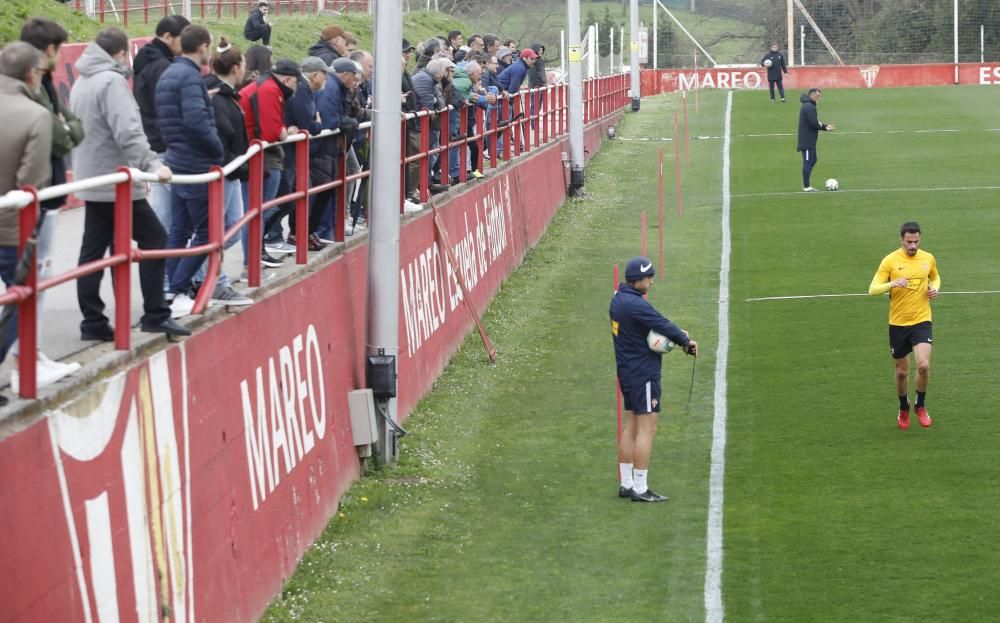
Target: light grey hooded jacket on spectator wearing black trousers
113 135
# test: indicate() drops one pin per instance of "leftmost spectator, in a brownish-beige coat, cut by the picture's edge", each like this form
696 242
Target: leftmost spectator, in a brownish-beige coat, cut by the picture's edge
25 160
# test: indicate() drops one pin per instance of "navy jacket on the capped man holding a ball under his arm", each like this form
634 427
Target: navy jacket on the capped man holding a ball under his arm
632 318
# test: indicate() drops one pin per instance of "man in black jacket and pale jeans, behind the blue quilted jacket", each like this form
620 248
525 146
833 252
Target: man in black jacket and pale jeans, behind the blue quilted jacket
149 64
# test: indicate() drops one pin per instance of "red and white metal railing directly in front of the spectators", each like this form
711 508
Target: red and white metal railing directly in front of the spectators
546 123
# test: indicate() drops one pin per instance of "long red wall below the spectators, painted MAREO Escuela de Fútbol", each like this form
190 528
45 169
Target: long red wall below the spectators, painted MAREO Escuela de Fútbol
192 482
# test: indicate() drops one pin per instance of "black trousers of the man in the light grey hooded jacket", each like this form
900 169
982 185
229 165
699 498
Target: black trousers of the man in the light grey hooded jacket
98 236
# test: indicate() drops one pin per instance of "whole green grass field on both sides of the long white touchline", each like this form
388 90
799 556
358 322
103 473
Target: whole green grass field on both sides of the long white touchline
504 506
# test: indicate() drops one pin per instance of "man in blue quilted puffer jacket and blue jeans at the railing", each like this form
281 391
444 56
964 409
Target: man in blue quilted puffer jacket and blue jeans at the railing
187 123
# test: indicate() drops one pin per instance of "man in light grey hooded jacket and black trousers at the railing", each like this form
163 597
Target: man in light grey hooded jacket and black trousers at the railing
113 139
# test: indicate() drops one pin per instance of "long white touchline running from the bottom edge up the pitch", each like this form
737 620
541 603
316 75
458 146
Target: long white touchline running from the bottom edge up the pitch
714 611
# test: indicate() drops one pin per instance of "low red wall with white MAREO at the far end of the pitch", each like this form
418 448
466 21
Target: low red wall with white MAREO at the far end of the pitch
826 76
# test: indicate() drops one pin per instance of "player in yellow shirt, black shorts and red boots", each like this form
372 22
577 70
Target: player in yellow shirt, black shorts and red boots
910 277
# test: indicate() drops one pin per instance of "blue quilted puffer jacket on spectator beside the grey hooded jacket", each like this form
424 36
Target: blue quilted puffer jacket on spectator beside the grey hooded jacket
186 119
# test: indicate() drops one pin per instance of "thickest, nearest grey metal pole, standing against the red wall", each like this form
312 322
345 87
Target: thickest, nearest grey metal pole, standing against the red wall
383 238
